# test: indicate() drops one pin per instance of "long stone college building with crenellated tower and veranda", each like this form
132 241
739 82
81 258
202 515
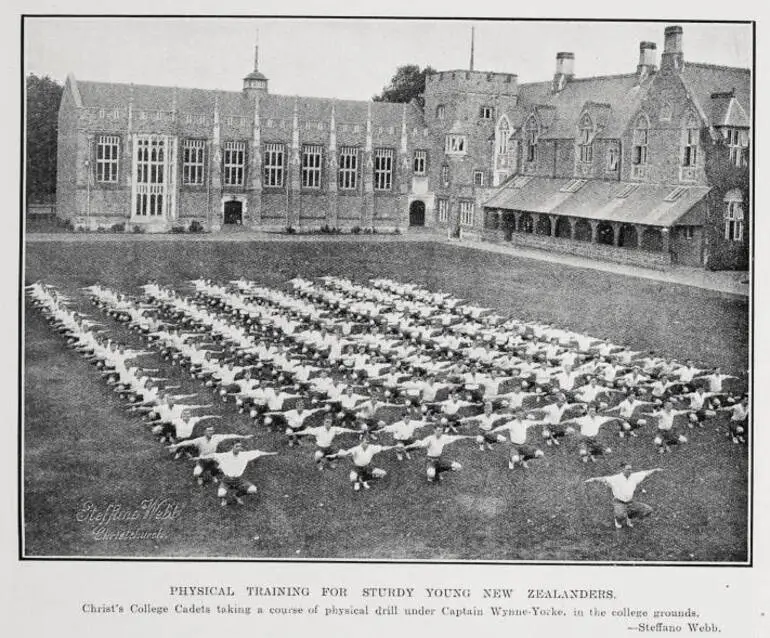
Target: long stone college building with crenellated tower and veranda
649 167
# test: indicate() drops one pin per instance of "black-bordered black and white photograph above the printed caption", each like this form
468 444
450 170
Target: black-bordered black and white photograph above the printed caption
387 290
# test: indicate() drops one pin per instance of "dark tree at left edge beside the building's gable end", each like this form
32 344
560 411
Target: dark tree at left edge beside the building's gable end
43 98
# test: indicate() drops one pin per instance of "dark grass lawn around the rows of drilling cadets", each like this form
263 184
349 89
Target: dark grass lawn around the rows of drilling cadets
81 446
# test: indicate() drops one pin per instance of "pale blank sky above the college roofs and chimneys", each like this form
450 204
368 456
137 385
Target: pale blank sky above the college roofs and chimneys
346 59
